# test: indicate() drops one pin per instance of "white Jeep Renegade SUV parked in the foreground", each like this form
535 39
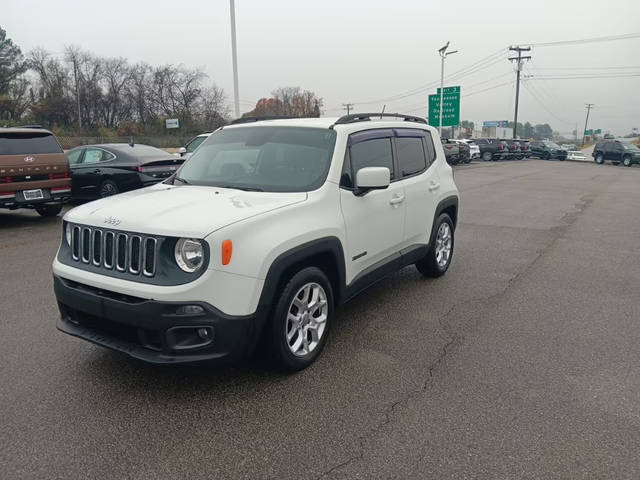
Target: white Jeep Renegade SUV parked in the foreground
260 235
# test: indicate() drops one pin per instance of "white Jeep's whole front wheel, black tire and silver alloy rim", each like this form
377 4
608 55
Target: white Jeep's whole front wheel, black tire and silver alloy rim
301 320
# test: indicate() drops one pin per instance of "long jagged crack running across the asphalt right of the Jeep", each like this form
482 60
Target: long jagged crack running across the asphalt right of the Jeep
567 220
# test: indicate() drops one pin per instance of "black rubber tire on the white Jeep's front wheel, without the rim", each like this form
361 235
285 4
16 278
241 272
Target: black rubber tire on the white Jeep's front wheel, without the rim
282 354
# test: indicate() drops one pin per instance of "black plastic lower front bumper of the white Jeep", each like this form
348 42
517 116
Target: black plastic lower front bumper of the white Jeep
151 330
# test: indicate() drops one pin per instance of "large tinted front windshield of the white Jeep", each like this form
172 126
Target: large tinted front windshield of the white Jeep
272 159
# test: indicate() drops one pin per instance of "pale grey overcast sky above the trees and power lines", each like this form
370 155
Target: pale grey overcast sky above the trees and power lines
363 50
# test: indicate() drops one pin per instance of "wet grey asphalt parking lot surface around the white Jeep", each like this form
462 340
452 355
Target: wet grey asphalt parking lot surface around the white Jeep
522 362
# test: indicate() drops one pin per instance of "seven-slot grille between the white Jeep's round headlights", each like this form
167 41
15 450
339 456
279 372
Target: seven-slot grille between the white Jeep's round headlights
120 251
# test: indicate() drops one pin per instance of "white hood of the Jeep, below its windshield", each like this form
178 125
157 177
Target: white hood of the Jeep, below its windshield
180 211
